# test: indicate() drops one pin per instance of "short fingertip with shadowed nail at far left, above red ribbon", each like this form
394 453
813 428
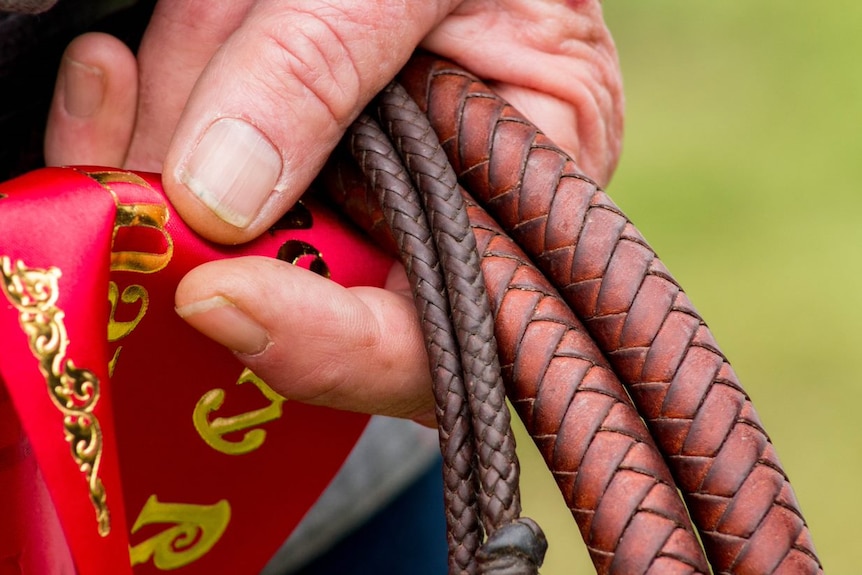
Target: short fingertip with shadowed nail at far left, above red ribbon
93 110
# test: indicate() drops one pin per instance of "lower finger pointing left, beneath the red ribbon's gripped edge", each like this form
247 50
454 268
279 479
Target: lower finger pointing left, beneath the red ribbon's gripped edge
358 349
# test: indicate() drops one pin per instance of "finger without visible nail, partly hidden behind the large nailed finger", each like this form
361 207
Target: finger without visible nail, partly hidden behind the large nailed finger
180 39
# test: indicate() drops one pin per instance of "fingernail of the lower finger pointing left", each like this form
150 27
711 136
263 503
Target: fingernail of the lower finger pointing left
222 321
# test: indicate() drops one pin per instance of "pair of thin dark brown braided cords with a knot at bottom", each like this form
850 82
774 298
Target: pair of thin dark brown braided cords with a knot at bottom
512 543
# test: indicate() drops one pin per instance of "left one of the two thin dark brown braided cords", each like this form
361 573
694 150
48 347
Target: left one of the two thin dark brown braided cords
405 217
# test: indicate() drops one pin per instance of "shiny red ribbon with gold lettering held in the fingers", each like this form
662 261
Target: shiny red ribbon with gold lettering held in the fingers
96 227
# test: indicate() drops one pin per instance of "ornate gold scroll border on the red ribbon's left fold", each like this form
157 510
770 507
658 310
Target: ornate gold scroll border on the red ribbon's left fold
74 391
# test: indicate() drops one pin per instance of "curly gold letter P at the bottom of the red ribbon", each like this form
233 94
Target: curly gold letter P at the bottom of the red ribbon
197 529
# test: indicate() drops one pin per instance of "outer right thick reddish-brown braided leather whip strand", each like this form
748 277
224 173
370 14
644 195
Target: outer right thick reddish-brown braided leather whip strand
702 420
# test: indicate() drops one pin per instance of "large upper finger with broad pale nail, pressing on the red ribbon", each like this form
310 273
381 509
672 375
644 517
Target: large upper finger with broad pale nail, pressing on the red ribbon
274 101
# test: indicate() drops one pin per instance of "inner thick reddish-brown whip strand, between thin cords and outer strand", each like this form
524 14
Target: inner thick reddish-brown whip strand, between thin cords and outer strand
606 465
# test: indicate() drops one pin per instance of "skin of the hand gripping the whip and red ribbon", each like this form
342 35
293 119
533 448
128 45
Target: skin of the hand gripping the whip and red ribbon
299 72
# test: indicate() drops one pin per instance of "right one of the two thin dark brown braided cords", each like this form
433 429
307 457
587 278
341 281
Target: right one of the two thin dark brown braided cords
499 498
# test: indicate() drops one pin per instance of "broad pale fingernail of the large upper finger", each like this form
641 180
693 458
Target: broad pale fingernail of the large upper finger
233 170
